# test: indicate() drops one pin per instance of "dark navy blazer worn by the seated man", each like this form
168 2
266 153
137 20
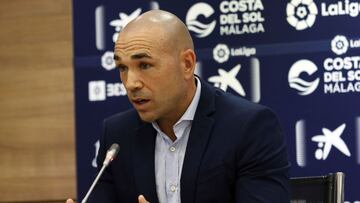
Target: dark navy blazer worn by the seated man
235 153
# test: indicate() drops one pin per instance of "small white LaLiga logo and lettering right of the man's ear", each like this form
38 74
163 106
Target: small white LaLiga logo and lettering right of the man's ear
222 53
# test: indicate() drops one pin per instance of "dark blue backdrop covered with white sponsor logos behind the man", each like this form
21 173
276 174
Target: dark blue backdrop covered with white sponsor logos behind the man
299 57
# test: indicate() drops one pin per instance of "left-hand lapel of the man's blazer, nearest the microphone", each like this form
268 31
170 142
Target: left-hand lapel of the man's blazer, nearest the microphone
143 162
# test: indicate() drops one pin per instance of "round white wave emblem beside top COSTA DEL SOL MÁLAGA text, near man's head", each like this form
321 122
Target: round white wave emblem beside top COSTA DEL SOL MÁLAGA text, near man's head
201 30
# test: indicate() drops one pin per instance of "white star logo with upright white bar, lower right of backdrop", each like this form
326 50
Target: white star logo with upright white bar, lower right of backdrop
323 142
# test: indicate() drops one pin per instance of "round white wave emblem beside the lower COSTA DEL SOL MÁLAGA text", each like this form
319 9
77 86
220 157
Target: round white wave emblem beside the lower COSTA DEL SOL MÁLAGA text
303 87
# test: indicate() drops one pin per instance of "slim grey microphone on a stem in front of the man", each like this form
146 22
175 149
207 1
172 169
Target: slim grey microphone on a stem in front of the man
110 155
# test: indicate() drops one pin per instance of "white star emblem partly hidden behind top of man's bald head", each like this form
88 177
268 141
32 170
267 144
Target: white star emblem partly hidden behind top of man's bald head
123 20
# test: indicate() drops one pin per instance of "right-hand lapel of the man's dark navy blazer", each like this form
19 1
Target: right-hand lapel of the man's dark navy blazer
197 143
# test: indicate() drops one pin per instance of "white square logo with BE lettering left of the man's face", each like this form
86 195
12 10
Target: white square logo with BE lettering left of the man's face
100 90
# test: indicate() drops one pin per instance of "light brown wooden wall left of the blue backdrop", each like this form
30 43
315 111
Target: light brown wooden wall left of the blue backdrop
37 115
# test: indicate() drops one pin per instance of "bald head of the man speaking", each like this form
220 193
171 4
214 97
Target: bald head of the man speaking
156 59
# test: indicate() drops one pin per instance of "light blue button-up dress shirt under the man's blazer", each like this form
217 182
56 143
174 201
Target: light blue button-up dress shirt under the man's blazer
169 155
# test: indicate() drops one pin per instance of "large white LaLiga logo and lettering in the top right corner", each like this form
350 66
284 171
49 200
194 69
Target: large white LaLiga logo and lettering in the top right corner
302 14
